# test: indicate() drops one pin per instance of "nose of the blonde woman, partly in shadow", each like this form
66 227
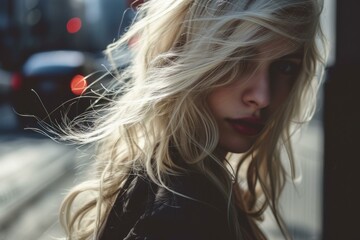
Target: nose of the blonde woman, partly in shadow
257 91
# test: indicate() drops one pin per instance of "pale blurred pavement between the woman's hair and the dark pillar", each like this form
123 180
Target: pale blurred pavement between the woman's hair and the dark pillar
301 202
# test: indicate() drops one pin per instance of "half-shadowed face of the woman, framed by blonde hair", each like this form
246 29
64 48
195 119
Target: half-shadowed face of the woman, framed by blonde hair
242 108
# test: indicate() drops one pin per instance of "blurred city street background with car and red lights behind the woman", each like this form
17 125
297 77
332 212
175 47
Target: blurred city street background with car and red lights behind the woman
47 47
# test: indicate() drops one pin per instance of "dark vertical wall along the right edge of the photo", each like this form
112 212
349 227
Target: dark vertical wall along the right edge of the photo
342 129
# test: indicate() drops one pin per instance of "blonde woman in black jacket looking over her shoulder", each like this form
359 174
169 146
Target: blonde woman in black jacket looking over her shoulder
189 148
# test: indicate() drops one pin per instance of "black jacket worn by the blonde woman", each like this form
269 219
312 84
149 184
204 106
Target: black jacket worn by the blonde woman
145 211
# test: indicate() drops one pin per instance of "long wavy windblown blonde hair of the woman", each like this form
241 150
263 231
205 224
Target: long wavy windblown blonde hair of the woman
180 51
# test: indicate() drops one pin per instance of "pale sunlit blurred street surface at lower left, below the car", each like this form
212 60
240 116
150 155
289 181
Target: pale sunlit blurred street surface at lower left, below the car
35 173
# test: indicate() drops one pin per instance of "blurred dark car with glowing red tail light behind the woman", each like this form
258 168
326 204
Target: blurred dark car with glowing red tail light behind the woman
52 84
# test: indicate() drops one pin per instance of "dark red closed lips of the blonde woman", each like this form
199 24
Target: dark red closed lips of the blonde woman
247 126
